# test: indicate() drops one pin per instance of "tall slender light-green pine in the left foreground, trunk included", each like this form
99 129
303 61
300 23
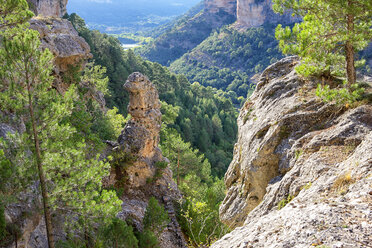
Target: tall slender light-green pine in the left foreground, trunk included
70 177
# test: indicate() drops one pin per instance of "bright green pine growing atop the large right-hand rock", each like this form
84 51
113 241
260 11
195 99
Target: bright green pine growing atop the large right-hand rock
330 35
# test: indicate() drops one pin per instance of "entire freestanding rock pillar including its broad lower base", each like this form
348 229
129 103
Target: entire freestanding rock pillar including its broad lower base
137 157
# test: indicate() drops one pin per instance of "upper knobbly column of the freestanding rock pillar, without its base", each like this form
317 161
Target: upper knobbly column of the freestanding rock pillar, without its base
140 137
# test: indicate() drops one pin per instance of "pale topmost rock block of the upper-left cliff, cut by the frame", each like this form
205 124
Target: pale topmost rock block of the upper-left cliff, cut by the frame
51 8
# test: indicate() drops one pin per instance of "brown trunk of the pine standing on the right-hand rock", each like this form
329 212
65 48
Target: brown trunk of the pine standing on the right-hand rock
349 50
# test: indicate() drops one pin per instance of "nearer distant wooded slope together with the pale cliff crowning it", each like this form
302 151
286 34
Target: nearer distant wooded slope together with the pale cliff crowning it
231 56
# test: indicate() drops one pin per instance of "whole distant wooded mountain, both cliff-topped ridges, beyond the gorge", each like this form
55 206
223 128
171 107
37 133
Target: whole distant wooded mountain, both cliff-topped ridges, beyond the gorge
222 46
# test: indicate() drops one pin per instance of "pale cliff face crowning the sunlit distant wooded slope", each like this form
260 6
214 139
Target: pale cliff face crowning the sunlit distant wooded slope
254 13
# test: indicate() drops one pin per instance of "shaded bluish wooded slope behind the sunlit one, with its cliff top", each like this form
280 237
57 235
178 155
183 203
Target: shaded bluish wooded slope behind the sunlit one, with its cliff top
188 33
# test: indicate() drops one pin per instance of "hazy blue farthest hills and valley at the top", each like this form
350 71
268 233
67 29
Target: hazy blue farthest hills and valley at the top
118 16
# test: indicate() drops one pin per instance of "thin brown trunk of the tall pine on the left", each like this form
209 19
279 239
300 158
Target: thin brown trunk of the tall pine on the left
44 193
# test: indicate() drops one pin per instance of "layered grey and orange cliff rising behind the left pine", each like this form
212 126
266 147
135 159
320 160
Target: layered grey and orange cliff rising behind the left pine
60 37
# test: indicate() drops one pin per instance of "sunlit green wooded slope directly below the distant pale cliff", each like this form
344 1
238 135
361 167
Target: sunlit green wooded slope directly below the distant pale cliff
229 58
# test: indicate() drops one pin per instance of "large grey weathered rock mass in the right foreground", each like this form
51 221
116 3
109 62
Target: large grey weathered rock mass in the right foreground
292 145
